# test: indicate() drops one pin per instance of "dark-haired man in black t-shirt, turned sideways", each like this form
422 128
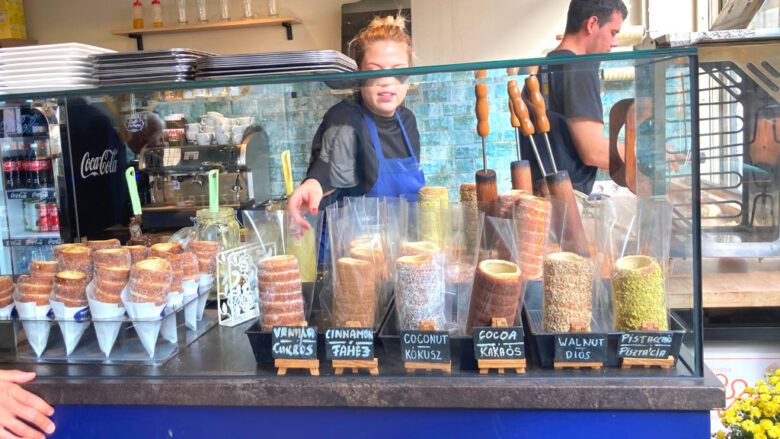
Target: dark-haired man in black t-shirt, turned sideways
574 90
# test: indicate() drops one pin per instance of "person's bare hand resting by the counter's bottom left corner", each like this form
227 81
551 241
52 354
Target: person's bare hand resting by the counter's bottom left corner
18 406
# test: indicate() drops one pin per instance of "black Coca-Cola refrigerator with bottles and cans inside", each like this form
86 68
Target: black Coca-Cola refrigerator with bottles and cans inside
63 170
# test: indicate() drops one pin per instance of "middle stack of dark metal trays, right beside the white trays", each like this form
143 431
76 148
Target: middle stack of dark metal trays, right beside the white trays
170 65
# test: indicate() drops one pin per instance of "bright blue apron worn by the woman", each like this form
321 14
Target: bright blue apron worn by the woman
395 177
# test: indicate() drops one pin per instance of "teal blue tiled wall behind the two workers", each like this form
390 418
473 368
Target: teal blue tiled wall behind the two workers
443 104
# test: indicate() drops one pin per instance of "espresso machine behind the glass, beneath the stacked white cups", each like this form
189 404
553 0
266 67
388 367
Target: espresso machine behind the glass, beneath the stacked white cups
176 183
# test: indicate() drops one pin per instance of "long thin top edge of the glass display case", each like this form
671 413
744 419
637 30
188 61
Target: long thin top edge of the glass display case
638 57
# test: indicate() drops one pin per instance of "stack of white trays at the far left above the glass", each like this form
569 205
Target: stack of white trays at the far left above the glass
47 67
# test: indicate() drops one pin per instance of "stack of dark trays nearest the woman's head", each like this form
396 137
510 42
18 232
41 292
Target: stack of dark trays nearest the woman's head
278 63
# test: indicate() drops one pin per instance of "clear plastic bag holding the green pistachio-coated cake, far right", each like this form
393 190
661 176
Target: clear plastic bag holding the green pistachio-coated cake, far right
633 243
